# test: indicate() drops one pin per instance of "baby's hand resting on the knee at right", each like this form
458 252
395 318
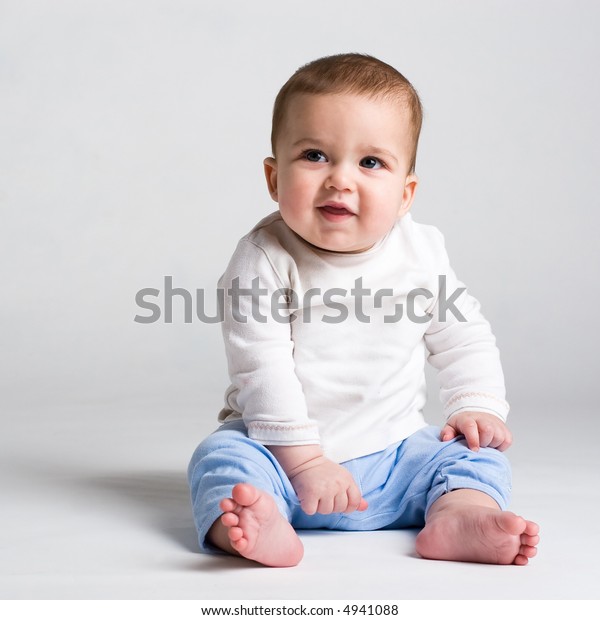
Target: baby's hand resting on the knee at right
480 430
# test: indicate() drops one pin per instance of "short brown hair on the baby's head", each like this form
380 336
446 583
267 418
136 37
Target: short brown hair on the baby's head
357 74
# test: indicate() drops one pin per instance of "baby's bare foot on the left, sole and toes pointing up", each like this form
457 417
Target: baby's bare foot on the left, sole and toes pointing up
256 529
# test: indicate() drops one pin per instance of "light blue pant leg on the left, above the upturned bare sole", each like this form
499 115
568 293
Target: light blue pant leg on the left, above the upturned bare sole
224 459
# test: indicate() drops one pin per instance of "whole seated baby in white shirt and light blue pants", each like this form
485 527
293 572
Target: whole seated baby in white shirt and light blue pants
331 306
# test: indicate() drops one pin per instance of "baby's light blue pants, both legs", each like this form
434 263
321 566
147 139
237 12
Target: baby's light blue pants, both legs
399 483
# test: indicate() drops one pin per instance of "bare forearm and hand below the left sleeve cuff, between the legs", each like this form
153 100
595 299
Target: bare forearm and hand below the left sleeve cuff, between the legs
321 485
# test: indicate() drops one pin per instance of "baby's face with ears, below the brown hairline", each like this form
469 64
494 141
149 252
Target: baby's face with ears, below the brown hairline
341 175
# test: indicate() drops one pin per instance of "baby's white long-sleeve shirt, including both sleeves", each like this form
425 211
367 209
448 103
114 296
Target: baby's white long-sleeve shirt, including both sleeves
331 347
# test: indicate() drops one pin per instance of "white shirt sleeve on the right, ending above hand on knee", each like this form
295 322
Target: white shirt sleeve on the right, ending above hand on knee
463 349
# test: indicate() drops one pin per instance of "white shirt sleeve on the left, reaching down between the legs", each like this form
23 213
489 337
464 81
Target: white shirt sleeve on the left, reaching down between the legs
260 352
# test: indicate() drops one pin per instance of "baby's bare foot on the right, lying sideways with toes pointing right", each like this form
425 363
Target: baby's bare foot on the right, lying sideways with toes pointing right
478 534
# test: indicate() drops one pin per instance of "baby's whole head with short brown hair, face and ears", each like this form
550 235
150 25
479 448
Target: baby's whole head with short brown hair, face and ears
344 139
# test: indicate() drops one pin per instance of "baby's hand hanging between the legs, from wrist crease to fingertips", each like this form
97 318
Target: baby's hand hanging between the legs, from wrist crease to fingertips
326 487
